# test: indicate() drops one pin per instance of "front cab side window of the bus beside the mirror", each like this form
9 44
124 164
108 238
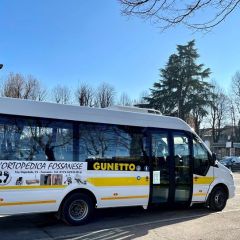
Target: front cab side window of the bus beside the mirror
201 158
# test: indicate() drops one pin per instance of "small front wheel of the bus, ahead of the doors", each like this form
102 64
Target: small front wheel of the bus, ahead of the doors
218 199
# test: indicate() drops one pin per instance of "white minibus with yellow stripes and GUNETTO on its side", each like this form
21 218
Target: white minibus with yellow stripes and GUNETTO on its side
72 160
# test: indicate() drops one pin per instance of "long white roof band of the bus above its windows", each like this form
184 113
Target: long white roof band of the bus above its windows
20 107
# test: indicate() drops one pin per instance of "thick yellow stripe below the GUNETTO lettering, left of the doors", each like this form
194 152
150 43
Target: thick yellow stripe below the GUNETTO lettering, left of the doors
118 181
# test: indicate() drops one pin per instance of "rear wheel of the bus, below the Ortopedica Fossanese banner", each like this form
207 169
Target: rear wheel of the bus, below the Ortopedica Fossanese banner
77 209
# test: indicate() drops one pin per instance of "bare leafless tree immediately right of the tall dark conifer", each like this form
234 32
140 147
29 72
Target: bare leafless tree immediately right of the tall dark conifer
219 111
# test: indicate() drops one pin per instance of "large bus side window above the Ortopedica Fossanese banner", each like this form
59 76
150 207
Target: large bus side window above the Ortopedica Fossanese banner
35 139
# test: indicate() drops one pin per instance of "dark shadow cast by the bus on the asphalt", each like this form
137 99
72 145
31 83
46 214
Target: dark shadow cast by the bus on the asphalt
108 224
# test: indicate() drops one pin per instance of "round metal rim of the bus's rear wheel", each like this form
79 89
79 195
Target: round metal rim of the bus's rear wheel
78 210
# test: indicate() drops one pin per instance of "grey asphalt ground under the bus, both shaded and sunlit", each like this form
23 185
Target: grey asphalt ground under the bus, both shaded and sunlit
195 223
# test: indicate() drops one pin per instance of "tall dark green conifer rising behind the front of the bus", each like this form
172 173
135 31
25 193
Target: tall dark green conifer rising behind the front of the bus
181 90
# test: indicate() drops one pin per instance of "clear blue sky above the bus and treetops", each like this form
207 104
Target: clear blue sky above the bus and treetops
66 42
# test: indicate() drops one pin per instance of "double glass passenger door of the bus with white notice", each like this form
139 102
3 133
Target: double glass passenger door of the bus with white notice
171 180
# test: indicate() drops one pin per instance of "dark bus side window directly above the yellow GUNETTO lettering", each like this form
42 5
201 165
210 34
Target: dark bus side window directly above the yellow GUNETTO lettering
107 142
